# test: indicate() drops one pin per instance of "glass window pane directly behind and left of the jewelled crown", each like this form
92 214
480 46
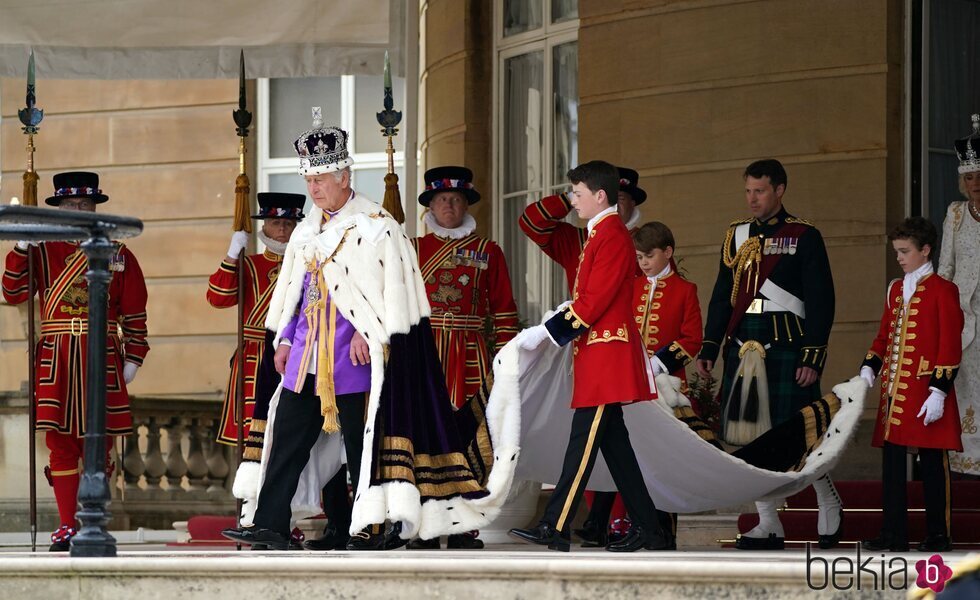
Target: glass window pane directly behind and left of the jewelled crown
290 101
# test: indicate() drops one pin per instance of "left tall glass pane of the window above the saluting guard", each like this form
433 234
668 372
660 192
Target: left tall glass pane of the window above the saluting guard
522 135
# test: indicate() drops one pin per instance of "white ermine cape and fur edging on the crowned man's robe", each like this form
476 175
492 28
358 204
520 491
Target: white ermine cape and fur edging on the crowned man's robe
374 281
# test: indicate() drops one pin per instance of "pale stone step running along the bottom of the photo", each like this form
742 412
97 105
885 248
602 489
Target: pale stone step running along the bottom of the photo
510 572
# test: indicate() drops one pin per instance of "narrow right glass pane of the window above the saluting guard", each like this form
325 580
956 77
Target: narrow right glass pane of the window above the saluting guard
565 124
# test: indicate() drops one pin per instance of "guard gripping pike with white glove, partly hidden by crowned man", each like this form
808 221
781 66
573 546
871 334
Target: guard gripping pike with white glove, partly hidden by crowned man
279 213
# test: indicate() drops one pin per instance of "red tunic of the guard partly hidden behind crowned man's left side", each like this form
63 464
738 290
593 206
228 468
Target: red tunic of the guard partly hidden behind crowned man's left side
261 272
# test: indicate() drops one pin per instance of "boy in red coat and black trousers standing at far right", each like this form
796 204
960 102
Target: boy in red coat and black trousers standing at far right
917 354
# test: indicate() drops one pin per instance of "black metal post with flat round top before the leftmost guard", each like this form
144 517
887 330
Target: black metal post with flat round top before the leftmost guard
97 230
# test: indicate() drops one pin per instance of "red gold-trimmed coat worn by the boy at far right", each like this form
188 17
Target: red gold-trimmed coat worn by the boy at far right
918 347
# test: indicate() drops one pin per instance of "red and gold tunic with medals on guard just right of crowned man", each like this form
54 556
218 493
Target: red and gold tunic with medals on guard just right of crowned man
466 283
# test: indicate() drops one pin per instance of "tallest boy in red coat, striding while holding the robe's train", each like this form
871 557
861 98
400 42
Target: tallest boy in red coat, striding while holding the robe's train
610 369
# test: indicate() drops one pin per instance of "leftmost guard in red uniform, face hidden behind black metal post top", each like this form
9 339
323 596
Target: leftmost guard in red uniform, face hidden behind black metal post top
61 350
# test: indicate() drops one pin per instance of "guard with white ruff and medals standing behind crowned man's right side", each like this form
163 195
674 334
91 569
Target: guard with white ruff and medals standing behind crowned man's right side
468 288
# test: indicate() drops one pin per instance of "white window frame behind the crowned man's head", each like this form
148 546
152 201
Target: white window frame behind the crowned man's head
267 165
